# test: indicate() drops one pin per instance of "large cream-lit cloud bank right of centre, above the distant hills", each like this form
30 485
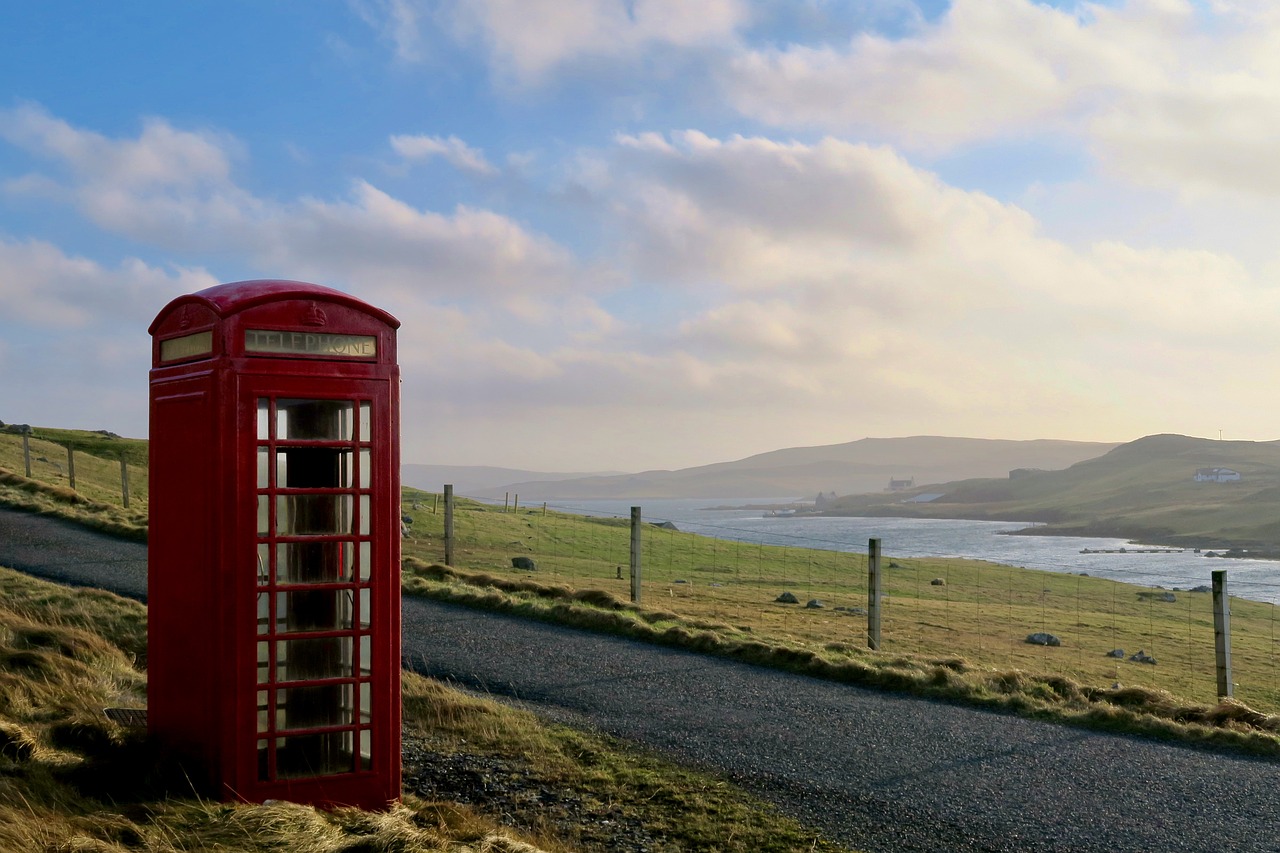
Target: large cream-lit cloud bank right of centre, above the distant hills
829 273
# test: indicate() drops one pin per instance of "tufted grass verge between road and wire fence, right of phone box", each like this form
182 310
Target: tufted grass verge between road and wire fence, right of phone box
1132 710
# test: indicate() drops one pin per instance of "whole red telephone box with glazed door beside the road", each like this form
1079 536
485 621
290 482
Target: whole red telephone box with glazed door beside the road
275 550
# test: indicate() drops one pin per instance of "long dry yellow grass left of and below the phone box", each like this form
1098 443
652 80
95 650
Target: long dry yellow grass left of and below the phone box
74 781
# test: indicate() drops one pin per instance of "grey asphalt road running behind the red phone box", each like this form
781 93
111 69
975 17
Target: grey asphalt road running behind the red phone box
872 770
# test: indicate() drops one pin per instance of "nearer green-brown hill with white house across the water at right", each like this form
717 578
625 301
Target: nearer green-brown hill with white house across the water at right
1145 490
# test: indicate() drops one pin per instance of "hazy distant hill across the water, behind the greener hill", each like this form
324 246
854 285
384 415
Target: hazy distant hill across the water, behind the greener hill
852 468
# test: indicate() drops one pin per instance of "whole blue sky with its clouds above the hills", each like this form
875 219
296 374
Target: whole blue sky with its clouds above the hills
629 235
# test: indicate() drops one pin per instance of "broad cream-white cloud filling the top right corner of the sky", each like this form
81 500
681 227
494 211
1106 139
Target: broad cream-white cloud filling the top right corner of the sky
1164 93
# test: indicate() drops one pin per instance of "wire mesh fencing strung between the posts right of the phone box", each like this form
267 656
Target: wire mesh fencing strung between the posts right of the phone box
1131 628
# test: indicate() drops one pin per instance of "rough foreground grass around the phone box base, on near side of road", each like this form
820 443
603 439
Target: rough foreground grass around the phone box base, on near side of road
481 777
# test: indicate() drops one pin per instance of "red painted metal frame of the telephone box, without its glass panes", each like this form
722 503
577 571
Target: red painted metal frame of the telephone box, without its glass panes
204 537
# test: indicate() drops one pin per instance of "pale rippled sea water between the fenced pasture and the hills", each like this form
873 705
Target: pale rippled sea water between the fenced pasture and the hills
1003 542
